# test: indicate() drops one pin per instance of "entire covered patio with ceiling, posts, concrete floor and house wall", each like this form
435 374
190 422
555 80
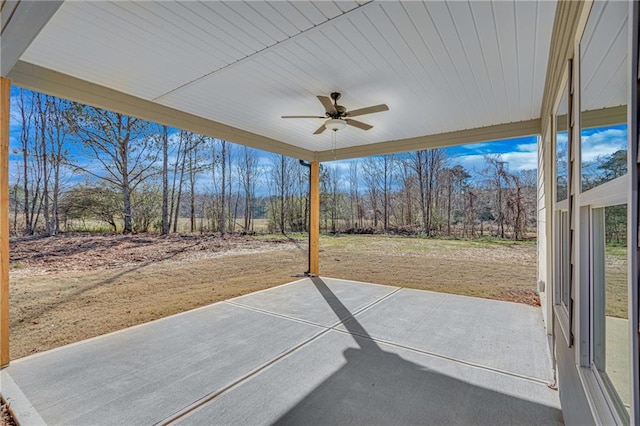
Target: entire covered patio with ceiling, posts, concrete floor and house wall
328 351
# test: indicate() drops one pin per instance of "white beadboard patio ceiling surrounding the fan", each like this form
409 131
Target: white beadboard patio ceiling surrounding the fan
439 66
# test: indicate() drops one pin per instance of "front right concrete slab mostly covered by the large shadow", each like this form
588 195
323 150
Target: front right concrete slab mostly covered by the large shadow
338 379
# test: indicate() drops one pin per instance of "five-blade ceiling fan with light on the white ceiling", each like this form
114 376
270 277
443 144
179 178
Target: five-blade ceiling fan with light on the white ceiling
338 117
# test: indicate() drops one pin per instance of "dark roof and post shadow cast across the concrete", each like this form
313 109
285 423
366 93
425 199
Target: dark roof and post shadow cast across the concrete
376 387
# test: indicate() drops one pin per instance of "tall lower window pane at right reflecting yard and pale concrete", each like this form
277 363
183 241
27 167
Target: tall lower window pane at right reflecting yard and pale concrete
610 301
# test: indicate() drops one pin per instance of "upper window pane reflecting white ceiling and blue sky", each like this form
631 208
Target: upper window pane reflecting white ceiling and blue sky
603 94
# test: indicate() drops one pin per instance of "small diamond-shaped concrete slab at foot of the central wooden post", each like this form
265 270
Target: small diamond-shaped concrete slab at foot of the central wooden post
305 302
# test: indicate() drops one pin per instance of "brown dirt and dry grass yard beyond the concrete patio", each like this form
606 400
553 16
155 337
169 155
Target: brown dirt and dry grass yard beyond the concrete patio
73 287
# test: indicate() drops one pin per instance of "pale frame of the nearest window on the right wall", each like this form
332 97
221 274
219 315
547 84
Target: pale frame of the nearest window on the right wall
622 190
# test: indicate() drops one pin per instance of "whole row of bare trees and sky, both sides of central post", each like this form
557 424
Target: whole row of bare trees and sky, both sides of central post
74 165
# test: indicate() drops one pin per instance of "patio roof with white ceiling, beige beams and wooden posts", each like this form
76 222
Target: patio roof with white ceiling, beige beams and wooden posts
447 73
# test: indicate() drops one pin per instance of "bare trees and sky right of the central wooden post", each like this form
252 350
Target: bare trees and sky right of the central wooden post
425 192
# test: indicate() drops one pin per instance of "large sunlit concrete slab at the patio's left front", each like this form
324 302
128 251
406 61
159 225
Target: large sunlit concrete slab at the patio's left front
144 374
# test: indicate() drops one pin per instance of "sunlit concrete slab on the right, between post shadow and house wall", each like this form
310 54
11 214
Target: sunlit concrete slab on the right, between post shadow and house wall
501 335
